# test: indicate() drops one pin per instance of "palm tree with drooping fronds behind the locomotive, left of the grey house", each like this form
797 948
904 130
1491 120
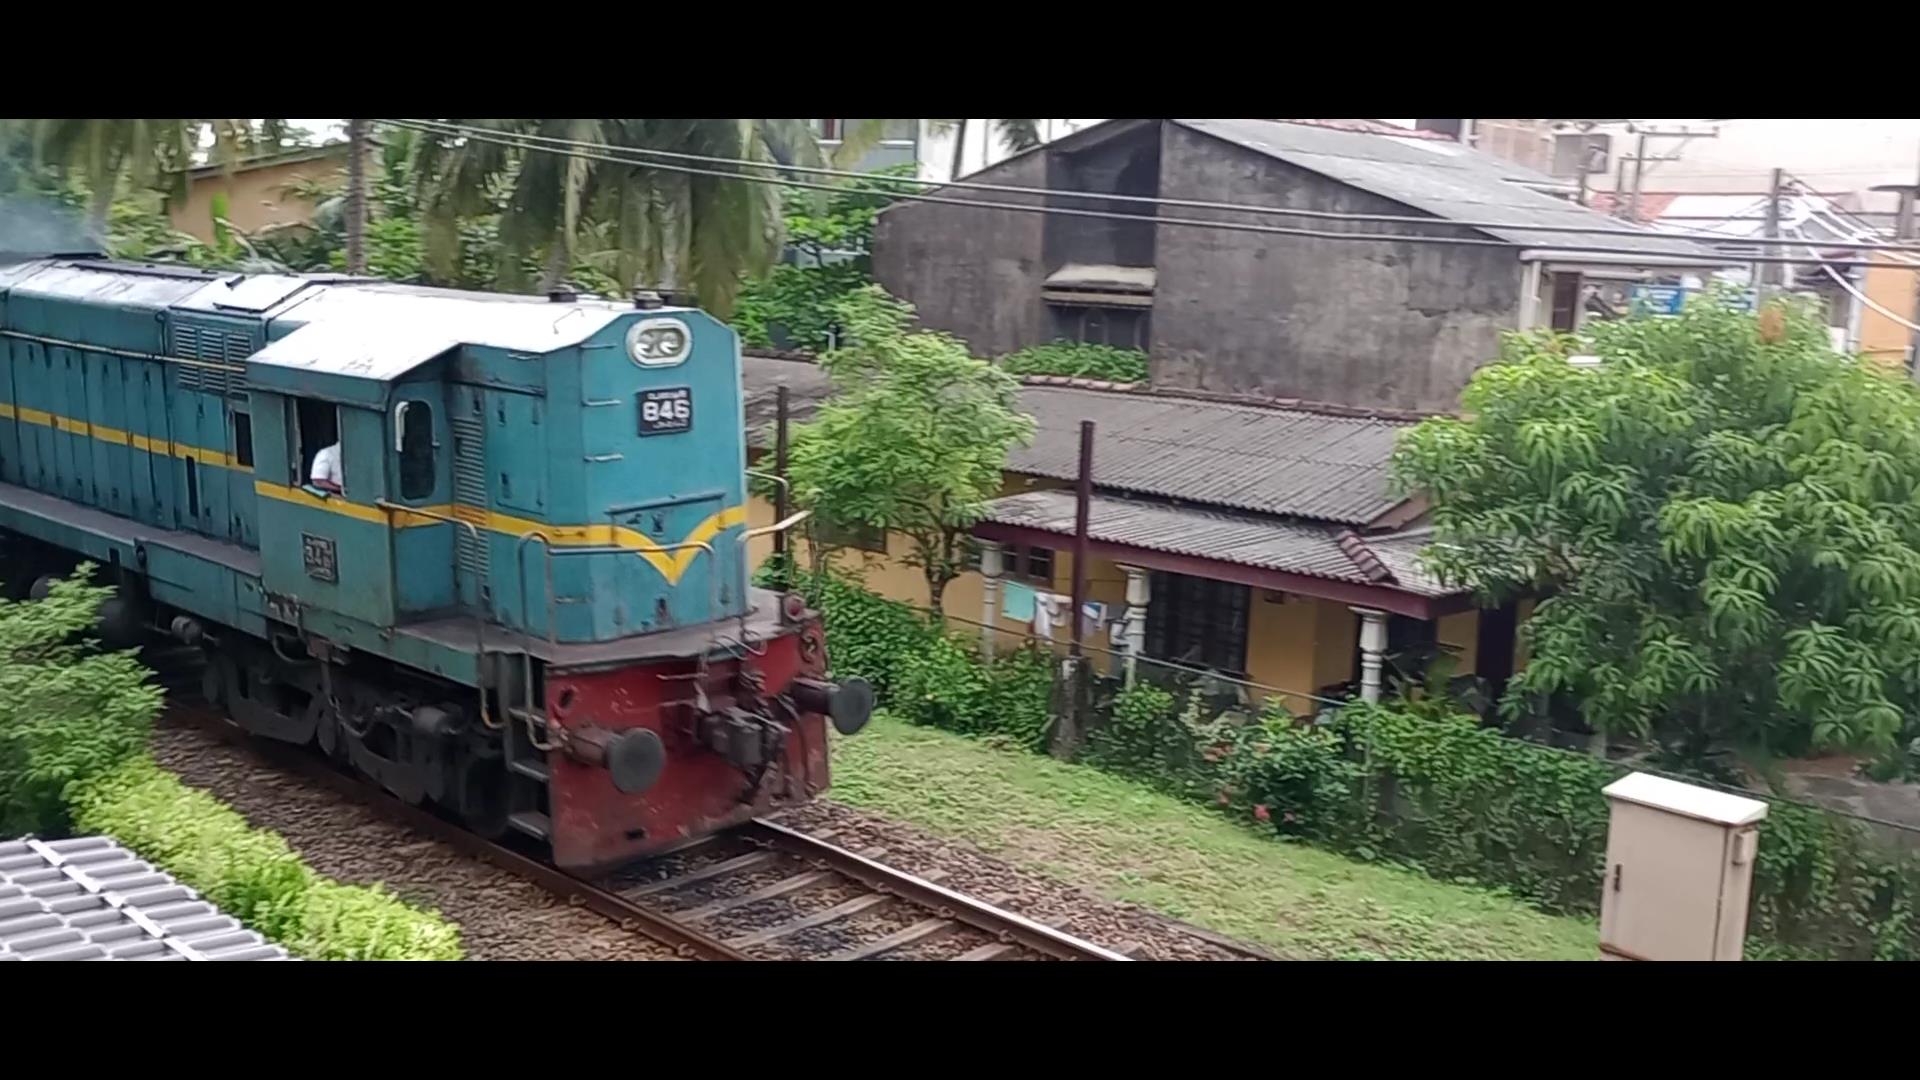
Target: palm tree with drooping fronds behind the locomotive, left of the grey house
652 226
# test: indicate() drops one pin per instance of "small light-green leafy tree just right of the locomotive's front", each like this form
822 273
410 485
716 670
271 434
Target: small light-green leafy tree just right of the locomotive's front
913 441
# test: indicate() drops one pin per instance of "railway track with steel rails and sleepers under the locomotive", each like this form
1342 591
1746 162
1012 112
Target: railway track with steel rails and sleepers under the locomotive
759 893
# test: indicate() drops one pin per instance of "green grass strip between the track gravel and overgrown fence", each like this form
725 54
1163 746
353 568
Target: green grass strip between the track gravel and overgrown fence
1126 843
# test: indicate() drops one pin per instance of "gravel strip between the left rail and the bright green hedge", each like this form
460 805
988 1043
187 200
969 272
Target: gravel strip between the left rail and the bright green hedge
502 918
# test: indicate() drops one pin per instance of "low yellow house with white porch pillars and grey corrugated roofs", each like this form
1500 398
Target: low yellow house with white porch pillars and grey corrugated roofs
1243 537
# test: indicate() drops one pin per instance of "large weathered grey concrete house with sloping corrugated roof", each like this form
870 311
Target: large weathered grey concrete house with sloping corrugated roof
1308 307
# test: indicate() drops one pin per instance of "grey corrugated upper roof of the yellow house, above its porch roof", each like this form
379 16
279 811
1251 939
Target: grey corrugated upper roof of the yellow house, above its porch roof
1291 458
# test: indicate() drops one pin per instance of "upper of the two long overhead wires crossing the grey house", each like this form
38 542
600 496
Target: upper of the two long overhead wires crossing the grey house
483 134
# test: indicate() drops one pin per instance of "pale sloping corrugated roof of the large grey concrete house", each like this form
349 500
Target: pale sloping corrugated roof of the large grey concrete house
1445 180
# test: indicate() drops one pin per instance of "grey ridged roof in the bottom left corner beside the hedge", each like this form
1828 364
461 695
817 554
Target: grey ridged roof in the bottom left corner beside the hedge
89 900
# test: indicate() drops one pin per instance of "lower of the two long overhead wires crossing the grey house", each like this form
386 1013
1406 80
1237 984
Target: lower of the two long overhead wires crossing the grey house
738 174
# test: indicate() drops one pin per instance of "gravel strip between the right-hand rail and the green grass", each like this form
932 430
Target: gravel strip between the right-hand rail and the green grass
1118 927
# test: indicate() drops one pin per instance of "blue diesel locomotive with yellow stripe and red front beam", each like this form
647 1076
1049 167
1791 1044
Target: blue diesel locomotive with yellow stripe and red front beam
525 601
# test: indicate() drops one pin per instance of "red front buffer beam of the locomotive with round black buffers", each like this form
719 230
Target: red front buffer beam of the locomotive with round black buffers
654 754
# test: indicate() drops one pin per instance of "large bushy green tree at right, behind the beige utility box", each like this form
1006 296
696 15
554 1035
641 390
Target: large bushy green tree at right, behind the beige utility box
1723 518
